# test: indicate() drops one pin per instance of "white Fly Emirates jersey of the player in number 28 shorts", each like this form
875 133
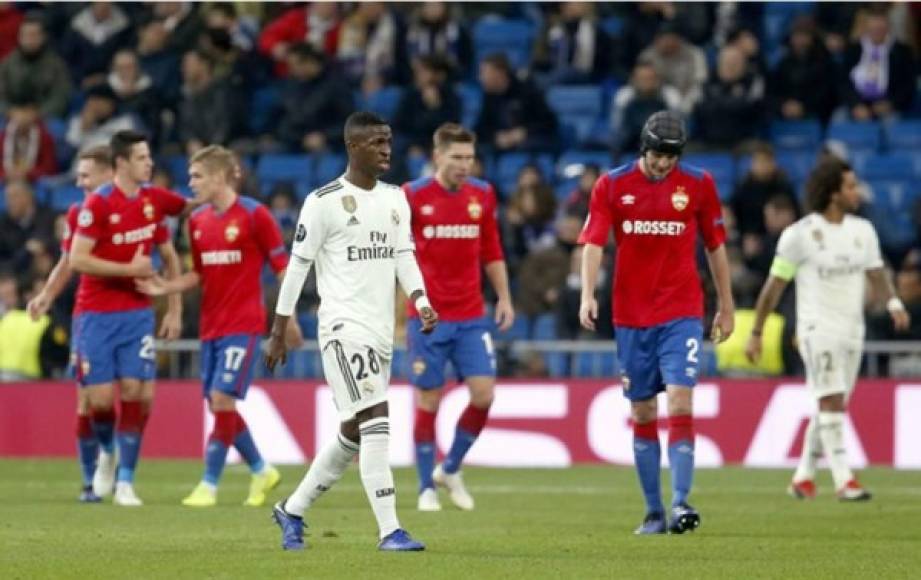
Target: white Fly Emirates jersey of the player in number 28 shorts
353 236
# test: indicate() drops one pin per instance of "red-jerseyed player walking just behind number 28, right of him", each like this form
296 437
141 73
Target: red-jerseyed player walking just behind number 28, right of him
456 234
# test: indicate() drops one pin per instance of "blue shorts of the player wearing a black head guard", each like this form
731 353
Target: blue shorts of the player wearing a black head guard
651 358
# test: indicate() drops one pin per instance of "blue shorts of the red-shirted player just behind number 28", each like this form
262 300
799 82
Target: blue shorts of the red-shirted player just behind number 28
467 345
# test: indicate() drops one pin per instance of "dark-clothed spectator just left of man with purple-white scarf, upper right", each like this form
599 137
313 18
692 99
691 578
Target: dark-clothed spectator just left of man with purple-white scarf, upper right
803 83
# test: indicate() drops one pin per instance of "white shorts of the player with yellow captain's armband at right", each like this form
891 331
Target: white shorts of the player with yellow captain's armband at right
832 364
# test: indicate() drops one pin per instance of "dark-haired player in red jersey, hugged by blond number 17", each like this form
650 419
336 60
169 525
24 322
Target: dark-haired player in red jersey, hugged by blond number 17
114 323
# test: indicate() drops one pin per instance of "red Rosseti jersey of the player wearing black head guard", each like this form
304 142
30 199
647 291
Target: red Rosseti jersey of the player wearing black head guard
655 231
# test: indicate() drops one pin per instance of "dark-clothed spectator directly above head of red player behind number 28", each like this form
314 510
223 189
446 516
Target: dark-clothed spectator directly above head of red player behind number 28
430 103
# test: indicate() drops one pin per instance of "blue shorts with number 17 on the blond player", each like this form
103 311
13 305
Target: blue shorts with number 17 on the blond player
228 363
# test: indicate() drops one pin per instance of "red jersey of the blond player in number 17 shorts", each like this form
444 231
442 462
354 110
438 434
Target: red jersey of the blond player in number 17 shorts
229 250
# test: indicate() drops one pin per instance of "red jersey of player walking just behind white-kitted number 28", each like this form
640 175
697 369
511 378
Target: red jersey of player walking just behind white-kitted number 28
456 233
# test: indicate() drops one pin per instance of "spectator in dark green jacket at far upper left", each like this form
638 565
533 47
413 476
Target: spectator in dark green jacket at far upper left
35 66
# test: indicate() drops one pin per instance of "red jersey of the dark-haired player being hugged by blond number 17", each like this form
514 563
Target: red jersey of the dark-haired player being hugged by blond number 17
119 225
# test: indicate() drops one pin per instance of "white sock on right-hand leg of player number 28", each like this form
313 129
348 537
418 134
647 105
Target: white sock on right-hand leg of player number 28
374 464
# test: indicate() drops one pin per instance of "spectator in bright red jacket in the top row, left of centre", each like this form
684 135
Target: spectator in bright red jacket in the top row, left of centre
317 25
